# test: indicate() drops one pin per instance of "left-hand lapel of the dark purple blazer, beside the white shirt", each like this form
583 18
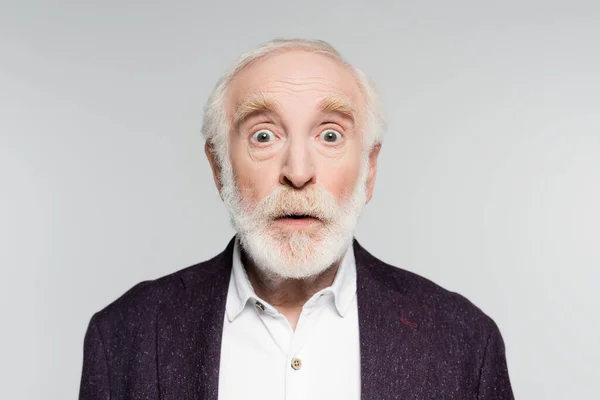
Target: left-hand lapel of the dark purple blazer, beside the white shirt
189 331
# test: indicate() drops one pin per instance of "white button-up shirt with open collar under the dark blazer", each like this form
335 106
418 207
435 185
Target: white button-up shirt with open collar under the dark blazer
259 345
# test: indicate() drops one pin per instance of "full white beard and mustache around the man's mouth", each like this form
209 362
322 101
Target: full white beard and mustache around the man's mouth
294 253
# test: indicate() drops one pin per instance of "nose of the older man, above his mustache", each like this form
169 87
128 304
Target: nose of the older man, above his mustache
298 168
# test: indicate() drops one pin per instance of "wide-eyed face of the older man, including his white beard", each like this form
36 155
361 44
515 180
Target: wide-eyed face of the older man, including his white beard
296 150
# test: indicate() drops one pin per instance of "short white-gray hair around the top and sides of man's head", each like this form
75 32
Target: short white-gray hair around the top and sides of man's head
215 126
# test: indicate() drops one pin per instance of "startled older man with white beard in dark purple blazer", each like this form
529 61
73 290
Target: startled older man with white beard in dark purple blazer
294 308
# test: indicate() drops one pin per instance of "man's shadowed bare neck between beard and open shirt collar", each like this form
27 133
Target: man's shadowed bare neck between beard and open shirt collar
287 295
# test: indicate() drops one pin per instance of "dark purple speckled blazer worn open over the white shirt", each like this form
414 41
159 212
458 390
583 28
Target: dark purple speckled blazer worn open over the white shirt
162 339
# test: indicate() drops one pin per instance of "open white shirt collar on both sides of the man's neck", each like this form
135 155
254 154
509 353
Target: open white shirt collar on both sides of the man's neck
343 287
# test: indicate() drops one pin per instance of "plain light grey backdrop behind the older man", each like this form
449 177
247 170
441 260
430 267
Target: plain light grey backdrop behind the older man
488 181
